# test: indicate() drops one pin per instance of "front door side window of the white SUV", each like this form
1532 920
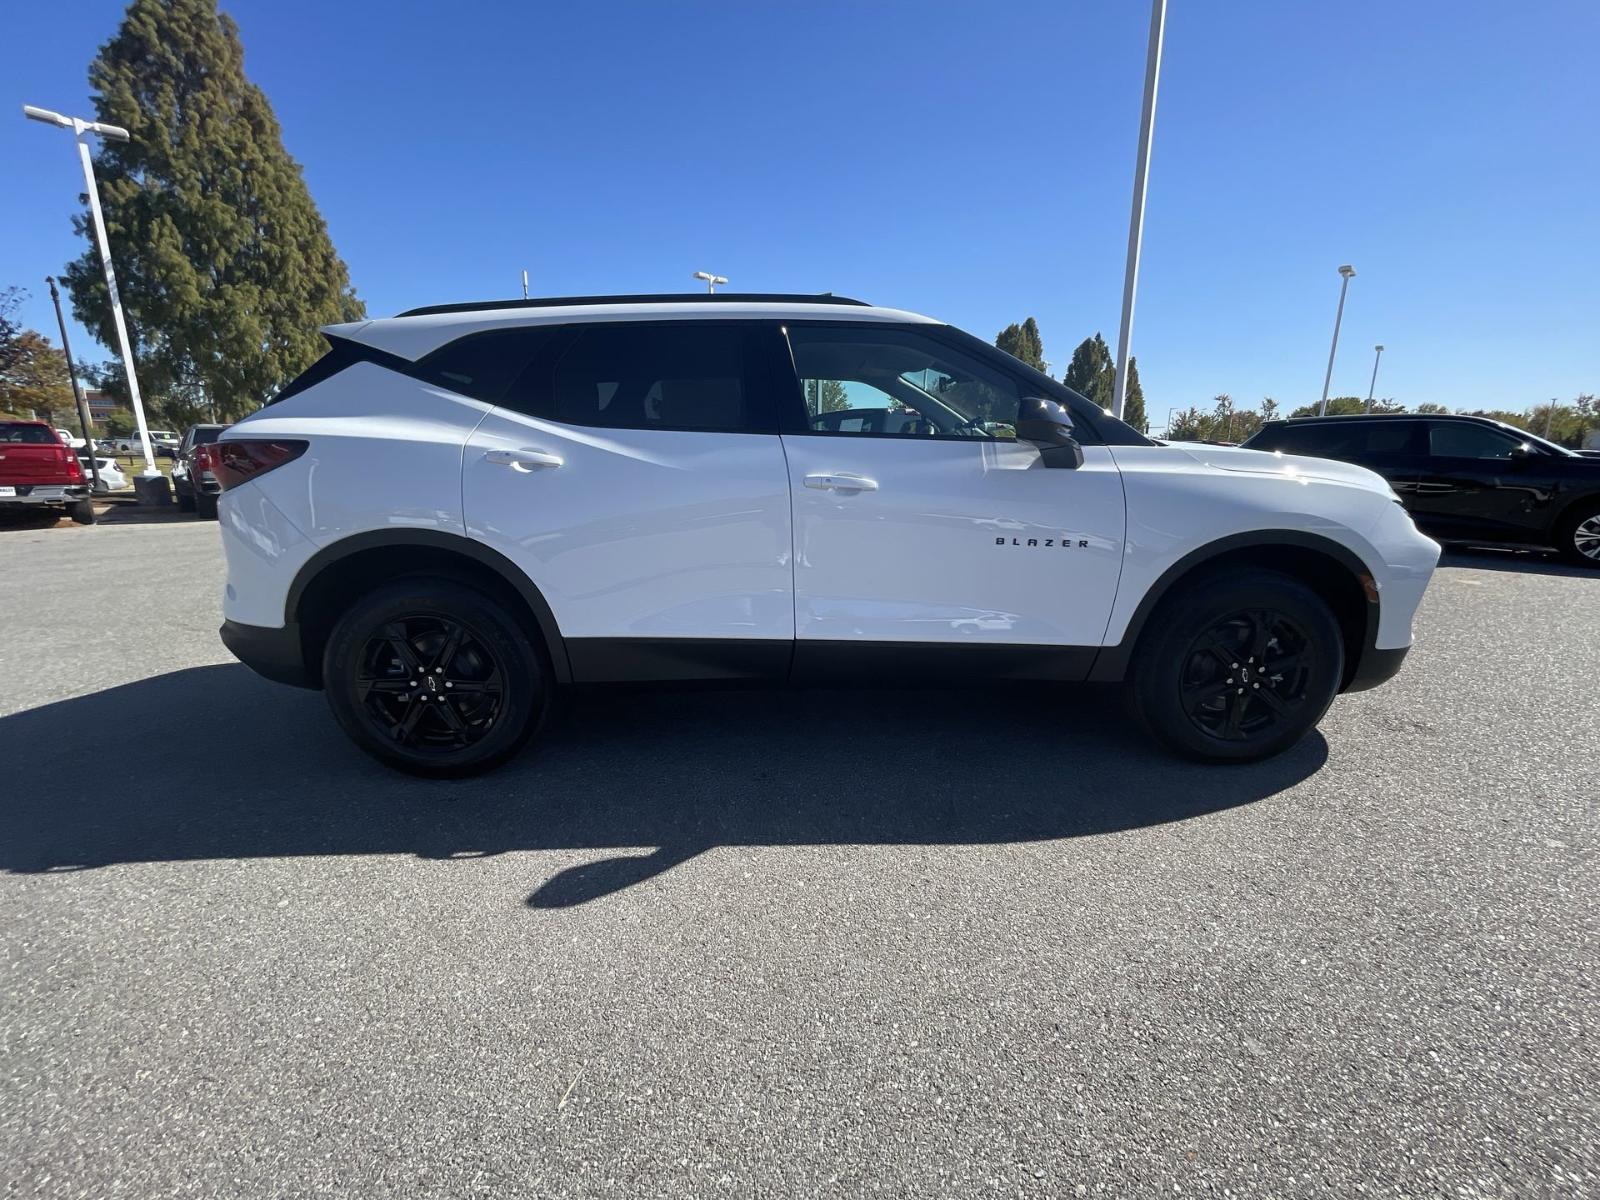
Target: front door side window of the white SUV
892 382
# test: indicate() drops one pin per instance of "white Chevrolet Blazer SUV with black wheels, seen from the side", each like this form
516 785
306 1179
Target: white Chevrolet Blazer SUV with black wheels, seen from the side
460 511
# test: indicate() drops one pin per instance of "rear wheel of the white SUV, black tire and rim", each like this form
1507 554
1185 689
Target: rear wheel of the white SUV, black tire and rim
398 639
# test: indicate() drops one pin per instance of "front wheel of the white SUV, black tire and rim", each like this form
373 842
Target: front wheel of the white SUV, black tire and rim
1198 676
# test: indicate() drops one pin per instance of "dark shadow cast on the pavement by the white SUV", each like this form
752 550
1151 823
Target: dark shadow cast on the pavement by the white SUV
234 767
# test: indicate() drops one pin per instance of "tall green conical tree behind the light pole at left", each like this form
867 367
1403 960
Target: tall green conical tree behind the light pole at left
225 263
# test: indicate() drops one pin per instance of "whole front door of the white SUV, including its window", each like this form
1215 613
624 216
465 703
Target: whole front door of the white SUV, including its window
922 522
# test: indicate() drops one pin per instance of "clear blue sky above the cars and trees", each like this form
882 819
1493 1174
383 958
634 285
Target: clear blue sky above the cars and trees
972 162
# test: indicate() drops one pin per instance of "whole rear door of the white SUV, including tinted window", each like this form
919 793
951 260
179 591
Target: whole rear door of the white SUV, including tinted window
634 473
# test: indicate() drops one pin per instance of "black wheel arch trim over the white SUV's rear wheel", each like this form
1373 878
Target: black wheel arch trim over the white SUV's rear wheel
362 561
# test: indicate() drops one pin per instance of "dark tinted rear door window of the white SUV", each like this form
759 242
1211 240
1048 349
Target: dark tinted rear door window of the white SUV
654 377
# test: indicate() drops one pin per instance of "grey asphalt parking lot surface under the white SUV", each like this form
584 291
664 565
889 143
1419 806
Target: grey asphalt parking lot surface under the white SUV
790 945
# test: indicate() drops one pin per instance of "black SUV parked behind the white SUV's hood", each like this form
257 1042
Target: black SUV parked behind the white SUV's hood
1465 478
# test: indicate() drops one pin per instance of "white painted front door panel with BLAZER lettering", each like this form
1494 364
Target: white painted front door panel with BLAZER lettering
961 542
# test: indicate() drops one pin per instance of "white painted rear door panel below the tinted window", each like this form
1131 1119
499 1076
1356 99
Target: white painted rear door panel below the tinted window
639 534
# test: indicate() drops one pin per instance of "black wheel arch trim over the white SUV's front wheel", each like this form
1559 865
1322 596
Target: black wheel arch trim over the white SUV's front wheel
1332 569
